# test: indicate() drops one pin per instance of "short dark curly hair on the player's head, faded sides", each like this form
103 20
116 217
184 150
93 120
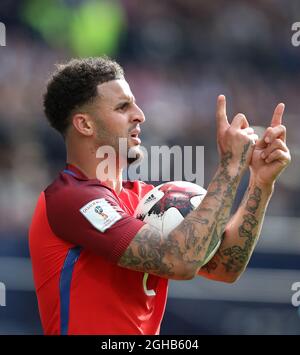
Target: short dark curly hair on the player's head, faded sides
74 84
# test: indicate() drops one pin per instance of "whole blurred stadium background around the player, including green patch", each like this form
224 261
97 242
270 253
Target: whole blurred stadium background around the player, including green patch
178 56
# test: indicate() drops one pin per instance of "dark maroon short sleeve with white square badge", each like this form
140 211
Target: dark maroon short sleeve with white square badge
91 217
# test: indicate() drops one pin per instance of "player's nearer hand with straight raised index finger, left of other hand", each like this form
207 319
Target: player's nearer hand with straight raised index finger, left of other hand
236 141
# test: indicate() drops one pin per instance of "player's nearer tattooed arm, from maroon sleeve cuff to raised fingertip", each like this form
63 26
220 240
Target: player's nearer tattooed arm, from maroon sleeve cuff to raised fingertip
180 254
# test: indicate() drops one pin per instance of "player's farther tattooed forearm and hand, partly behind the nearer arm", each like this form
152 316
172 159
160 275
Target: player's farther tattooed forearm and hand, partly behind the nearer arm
270 157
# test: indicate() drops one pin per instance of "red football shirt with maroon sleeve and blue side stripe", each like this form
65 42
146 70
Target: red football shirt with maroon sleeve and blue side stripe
80 229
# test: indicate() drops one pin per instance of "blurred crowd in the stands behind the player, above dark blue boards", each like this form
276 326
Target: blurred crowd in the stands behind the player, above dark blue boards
178 56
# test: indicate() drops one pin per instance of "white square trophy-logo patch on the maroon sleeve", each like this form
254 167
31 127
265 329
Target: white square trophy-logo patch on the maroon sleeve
100 213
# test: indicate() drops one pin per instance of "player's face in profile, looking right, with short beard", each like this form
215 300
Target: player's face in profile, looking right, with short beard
118 116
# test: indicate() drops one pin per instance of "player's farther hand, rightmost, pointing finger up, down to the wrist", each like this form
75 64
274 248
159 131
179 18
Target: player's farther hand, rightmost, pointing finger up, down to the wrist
271 154
